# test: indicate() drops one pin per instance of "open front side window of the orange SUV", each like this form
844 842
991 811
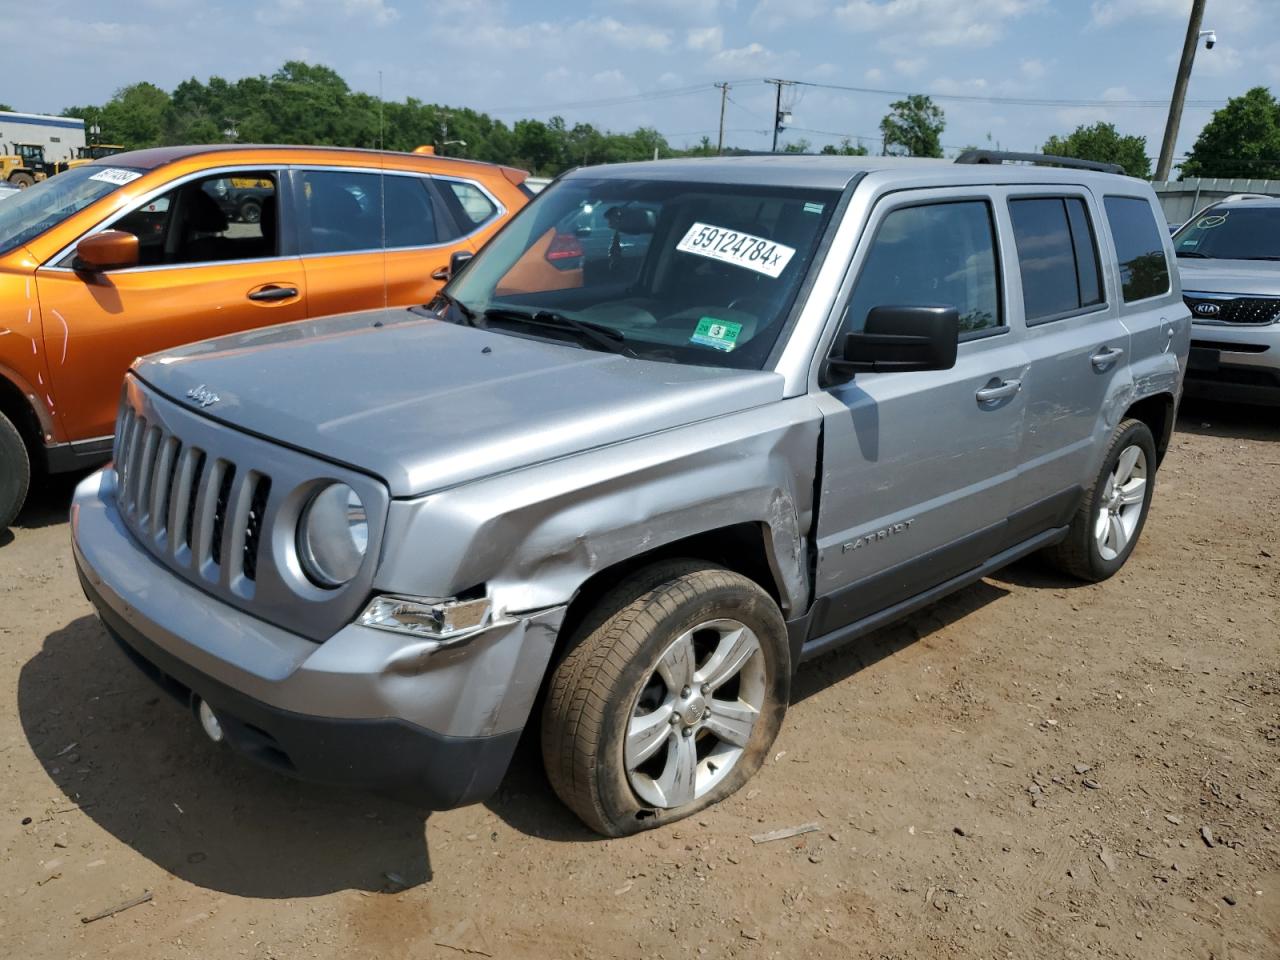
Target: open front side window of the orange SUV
226 217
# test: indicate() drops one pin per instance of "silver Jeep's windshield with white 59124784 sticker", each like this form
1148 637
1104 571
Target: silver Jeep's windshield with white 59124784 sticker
692 273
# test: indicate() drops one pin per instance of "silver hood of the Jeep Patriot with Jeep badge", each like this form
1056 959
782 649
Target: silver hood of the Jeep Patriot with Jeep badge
427 405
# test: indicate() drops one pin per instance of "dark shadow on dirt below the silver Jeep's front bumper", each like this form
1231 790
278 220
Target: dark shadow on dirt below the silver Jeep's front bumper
138 765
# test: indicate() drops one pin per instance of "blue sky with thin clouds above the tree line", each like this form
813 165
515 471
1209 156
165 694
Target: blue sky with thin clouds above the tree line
656 60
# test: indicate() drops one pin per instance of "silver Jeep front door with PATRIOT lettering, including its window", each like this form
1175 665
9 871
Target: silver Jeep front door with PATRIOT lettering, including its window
920 469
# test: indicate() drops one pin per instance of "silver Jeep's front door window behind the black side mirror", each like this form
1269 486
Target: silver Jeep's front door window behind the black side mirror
932 255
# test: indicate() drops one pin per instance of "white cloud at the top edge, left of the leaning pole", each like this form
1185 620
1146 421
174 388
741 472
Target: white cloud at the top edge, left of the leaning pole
909 25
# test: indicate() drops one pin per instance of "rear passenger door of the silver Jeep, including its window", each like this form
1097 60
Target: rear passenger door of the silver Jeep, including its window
1078 346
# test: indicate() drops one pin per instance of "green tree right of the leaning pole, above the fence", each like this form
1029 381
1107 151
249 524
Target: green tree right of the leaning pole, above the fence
1242 140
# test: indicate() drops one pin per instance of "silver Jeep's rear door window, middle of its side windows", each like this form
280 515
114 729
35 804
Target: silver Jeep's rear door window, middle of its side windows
1057 257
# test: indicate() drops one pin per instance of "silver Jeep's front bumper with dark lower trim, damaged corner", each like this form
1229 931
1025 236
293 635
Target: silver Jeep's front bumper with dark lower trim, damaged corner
367 708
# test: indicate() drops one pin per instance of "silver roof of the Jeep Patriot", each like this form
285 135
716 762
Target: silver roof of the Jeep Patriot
831 172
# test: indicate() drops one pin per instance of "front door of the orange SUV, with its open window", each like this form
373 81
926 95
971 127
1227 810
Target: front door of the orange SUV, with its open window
203 273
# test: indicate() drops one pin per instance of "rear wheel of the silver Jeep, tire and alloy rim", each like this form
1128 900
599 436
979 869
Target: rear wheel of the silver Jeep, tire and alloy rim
1109 523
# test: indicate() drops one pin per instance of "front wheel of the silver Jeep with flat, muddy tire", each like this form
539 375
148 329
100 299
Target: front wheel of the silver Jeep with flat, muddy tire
611 685
